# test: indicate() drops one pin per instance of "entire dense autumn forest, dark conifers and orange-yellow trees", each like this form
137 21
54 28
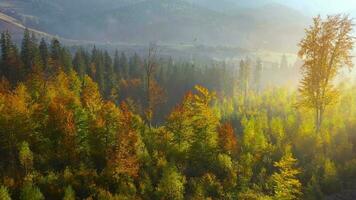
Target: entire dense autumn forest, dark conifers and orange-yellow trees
91 125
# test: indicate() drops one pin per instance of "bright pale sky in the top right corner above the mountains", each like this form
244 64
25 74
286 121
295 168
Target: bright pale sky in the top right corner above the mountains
322 6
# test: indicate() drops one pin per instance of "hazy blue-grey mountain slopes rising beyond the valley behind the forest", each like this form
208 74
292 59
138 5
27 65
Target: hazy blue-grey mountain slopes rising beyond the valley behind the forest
252 25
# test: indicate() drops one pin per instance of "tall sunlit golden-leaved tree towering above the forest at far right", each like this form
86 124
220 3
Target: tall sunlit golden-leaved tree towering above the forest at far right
325 50
